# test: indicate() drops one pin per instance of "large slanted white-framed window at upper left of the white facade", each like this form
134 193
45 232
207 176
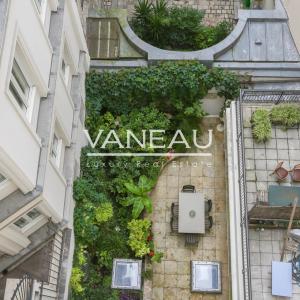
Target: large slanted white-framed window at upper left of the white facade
19 86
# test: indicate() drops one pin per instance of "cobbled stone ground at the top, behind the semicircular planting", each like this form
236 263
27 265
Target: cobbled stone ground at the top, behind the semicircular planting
216 10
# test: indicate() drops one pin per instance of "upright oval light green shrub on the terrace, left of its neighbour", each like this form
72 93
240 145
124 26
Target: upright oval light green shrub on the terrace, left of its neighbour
261 125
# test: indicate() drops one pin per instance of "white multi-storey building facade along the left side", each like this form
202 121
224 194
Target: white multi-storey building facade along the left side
43 60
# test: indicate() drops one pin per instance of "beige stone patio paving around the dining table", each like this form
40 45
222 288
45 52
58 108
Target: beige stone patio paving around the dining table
171 278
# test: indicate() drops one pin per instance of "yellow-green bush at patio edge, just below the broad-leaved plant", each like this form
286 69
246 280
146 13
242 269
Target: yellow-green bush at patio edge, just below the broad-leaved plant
138 232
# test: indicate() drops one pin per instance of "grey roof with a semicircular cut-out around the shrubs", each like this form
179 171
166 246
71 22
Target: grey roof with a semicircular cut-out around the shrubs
261 44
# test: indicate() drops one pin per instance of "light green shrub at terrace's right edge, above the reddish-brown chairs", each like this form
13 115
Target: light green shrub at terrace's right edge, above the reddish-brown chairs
286 115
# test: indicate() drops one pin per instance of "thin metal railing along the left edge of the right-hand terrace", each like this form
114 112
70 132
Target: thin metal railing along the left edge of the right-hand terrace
244 206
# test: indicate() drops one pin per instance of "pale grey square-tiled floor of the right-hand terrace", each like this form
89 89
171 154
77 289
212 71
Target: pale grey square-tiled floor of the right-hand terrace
261 160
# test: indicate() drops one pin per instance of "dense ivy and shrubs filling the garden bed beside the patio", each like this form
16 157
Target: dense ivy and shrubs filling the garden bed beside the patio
166 96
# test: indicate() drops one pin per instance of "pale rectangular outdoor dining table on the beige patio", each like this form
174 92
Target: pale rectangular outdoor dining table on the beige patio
191 213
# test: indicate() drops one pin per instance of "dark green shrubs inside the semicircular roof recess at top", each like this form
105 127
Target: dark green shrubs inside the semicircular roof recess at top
176 28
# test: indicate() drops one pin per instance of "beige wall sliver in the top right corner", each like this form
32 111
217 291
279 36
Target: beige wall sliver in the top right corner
293 9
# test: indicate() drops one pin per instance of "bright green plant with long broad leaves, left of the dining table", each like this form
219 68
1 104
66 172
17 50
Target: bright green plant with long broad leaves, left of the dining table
139 196
